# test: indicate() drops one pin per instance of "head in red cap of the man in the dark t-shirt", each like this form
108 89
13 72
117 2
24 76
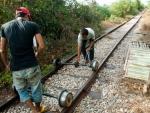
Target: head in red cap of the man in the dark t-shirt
23 12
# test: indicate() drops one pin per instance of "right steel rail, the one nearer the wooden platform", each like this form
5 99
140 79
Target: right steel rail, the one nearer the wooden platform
85 88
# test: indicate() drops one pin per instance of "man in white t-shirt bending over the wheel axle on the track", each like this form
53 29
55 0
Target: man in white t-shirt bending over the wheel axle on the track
86 39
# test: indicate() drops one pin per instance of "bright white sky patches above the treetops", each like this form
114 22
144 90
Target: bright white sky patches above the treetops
108 2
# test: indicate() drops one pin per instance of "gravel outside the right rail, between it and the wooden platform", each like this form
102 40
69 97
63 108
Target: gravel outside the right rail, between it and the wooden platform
109 93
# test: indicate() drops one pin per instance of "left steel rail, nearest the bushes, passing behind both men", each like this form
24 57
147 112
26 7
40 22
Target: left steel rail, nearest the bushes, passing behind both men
15 97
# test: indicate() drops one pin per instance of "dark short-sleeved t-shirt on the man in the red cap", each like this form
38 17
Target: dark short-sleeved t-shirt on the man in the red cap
19 34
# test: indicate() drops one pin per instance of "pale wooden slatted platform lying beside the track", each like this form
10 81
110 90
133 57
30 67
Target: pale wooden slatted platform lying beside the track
137 65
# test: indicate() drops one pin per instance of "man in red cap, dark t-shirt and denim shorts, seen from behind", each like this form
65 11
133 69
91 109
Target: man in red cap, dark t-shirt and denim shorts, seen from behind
18 34
